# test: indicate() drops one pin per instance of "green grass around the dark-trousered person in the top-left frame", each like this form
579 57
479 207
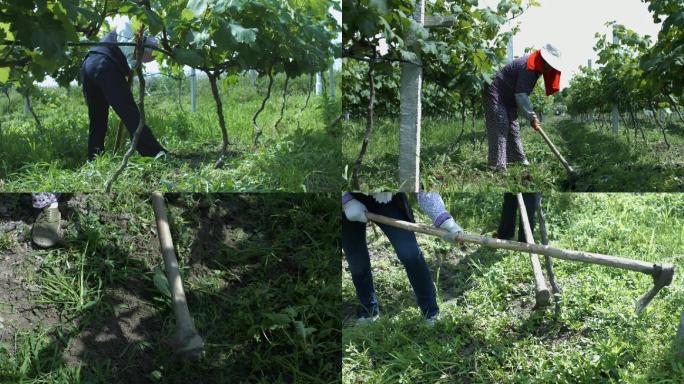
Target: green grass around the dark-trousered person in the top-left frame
302 155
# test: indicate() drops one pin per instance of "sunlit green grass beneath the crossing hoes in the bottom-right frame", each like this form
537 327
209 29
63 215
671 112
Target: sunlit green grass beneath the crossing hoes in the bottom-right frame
489 332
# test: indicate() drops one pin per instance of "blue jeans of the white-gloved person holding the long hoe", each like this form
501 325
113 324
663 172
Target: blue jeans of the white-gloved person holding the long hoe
404 242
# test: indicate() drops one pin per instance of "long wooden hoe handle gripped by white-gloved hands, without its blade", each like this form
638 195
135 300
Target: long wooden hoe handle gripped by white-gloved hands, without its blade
565 254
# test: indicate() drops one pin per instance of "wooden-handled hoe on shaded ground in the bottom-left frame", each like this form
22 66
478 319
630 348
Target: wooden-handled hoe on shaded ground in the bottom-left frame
187 341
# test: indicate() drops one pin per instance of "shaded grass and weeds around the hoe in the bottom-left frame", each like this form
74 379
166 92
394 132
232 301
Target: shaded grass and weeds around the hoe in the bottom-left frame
261 273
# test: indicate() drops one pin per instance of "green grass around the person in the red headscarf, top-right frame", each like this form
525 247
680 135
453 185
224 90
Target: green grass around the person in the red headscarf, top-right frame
605 163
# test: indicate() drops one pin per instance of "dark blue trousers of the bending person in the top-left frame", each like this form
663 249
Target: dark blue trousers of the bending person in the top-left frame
103 86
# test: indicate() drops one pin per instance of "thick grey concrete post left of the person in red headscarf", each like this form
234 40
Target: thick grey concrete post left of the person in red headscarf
410 114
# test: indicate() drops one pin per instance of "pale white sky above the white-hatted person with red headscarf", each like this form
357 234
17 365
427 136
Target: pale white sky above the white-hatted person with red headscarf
572 24
